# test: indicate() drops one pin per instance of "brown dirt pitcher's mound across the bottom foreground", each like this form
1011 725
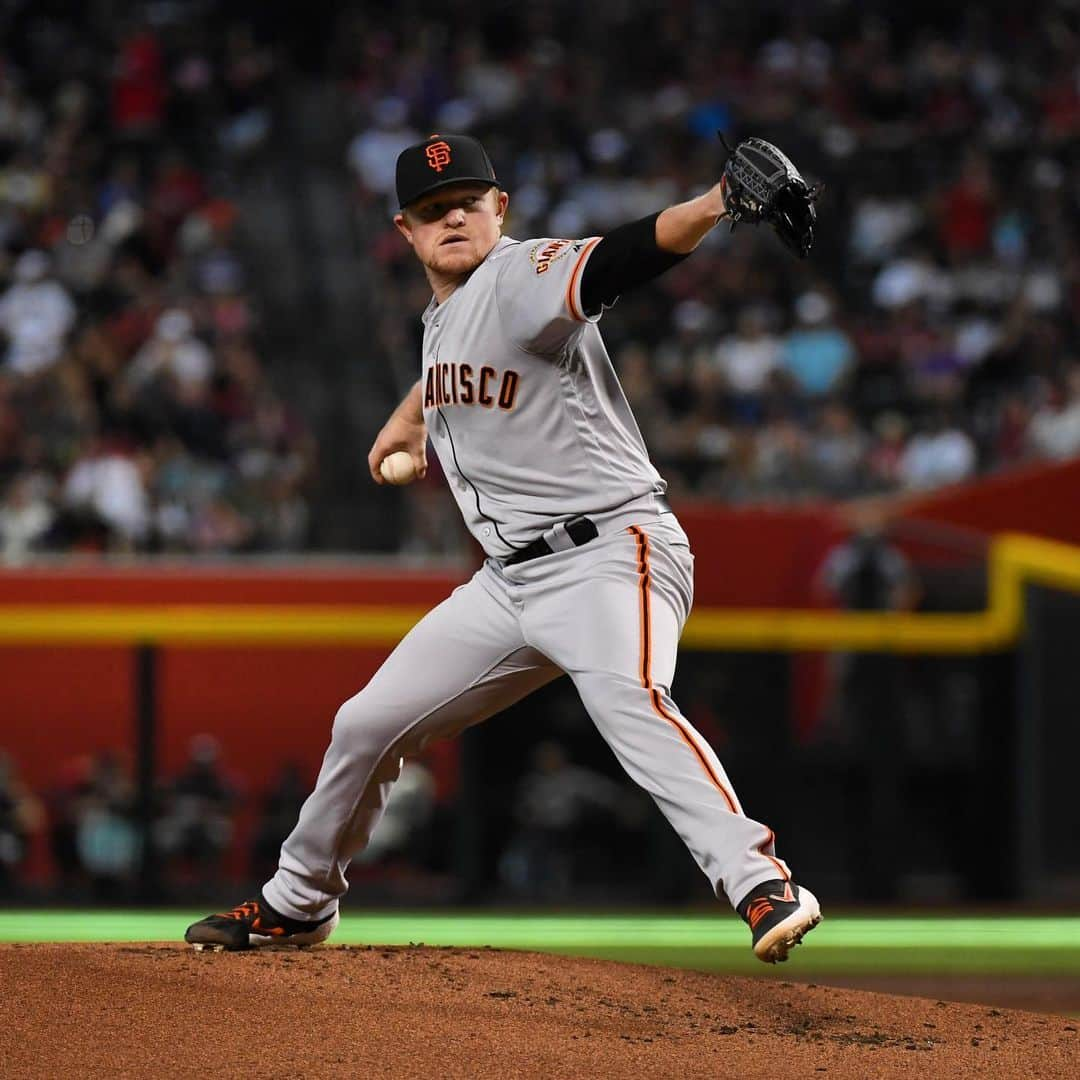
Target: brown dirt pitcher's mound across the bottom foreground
165 1010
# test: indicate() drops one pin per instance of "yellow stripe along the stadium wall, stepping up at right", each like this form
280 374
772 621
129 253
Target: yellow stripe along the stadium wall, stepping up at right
1015 563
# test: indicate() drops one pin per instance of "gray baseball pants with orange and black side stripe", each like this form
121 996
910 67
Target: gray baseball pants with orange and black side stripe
610 615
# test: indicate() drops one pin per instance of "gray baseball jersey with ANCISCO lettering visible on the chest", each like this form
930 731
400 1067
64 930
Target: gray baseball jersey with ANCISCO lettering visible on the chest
522 403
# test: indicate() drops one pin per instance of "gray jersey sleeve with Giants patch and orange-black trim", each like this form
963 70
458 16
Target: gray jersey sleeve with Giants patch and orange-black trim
538 293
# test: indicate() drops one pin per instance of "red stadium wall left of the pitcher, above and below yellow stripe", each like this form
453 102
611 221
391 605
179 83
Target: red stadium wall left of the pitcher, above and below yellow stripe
63 700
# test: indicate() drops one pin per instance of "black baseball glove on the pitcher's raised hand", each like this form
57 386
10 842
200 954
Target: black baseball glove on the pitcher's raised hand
761 184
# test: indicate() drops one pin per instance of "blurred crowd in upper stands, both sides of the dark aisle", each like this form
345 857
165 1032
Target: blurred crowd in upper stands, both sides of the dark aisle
930 336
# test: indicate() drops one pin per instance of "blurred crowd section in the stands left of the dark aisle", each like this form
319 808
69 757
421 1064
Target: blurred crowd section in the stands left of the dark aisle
136 412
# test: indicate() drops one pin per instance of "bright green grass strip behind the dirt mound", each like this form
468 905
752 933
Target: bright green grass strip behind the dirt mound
858 944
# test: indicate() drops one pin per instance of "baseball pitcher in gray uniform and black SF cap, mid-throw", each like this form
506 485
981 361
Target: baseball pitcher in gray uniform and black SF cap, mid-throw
588 571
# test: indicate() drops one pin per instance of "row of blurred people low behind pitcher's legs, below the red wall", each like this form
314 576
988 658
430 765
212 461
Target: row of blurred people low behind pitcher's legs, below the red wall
207 823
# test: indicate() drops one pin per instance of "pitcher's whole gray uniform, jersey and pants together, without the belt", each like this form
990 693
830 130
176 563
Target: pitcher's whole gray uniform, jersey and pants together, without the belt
532 428
